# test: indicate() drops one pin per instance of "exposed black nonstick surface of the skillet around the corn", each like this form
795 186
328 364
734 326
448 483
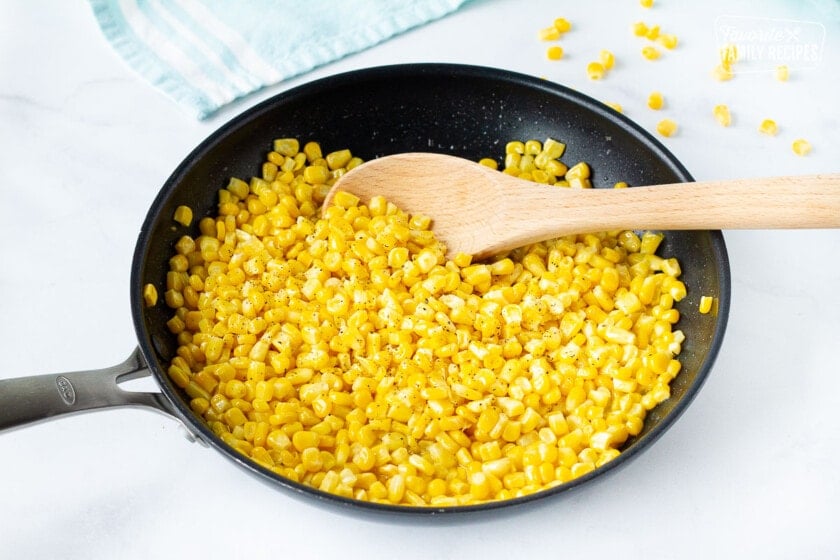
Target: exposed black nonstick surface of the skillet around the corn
466 111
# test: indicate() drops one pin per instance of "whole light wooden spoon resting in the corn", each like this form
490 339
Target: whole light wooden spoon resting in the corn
480 211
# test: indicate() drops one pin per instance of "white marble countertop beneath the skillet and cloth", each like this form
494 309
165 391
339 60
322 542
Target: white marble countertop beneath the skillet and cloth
749 471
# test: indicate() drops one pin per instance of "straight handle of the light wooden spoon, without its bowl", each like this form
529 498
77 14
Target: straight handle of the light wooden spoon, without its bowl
799 202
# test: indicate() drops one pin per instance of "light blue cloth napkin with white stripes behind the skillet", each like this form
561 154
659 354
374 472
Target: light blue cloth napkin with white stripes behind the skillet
205 54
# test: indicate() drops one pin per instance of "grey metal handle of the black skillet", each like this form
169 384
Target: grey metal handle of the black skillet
28 400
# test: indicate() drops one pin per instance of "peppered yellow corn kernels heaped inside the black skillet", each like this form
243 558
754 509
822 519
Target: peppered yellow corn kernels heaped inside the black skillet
343 351
